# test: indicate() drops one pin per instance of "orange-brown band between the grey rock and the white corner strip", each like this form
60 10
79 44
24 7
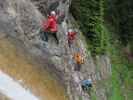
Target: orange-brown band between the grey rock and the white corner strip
20 66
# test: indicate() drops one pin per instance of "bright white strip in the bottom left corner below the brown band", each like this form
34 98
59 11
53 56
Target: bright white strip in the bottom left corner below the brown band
13 89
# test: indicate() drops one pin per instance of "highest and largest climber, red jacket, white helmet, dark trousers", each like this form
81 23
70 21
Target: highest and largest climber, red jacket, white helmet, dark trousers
50 26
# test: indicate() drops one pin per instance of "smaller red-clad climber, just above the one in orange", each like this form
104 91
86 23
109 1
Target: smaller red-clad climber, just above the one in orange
71 36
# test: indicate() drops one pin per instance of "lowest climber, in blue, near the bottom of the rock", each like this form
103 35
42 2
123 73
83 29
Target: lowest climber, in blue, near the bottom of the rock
86 84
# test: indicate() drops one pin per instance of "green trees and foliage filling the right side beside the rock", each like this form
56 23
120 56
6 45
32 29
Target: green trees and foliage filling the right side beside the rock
91 15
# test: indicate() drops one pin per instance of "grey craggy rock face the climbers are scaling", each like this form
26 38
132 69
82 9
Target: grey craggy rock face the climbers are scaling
21 19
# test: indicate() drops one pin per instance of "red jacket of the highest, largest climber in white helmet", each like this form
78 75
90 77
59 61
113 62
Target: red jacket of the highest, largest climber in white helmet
51 24
